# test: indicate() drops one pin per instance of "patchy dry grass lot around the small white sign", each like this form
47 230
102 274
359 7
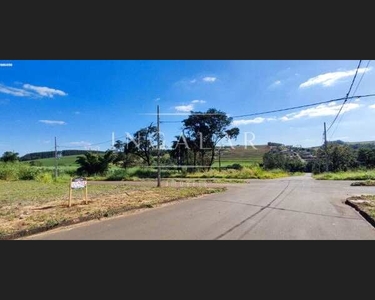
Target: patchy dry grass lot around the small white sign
29 206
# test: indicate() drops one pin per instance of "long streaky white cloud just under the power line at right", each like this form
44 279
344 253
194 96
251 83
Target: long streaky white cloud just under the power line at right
322 110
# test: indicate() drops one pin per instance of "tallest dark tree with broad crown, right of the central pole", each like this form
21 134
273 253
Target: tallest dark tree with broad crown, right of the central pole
206 130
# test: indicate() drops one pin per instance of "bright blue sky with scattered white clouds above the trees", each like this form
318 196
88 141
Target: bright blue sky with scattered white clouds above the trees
83 102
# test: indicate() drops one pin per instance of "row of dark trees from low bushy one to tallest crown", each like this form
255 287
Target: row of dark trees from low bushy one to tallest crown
195 147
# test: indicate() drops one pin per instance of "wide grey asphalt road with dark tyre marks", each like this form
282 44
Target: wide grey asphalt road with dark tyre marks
287 209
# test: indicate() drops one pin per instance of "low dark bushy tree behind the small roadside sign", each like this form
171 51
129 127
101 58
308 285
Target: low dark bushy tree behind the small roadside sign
92 164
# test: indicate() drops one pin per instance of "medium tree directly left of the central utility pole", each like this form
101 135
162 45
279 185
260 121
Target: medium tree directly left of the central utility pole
143 143
